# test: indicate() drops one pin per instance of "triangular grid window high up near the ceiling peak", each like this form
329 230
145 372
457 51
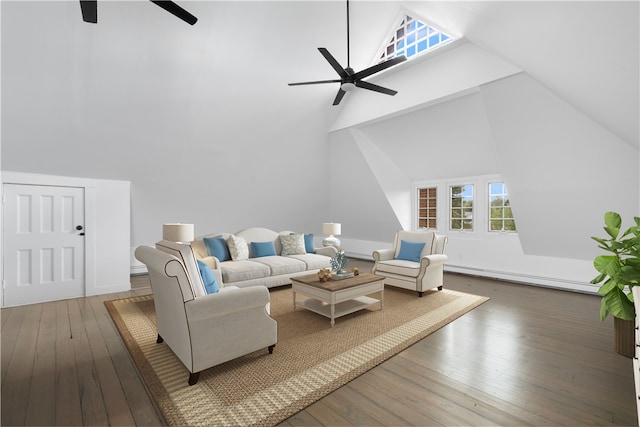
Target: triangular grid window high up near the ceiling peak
412 38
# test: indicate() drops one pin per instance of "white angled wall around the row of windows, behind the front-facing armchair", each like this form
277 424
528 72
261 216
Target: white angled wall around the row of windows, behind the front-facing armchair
556 162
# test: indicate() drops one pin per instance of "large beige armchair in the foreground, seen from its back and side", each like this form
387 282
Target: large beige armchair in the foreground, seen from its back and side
205 330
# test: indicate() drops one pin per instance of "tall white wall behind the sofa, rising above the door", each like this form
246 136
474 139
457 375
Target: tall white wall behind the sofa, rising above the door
205 133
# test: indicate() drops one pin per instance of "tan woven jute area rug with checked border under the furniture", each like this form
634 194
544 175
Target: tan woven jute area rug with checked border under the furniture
310 360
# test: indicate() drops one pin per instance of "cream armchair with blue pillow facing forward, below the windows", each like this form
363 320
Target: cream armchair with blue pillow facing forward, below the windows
420 271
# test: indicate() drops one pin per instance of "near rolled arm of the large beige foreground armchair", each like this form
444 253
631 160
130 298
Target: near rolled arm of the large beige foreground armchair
223 303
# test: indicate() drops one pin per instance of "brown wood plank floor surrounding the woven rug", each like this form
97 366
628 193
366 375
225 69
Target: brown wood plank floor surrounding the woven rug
529 356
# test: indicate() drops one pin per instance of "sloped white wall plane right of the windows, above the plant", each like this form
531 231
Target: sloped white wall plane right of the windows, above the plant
564 170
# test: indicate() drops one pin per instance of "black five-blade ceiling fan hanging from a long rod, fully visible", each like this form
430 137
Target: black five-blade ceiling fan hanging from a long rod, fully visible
349 79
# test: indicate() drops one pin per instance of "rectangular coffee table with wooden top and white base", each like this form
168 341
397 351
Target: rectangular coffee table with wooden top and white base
336 298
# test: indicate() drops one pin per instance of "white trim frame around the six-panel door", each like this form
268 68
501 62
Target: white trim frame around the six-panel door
89 187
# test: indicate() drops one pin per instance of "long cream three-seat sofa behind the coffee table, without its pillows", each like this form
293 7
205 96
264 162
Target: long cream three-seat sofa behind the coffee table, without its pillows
269 271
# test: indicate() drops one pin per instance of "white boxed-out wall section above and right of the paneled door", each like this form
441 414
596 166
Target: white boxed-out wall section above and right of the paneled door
107 227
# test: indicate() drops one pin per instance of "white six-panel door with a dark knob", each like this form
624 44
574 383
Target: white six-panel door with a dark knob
43 243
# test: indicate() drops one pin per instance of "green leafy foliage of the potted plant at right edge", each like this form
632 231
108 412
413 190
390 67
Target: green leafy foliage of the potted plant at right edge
619 268
